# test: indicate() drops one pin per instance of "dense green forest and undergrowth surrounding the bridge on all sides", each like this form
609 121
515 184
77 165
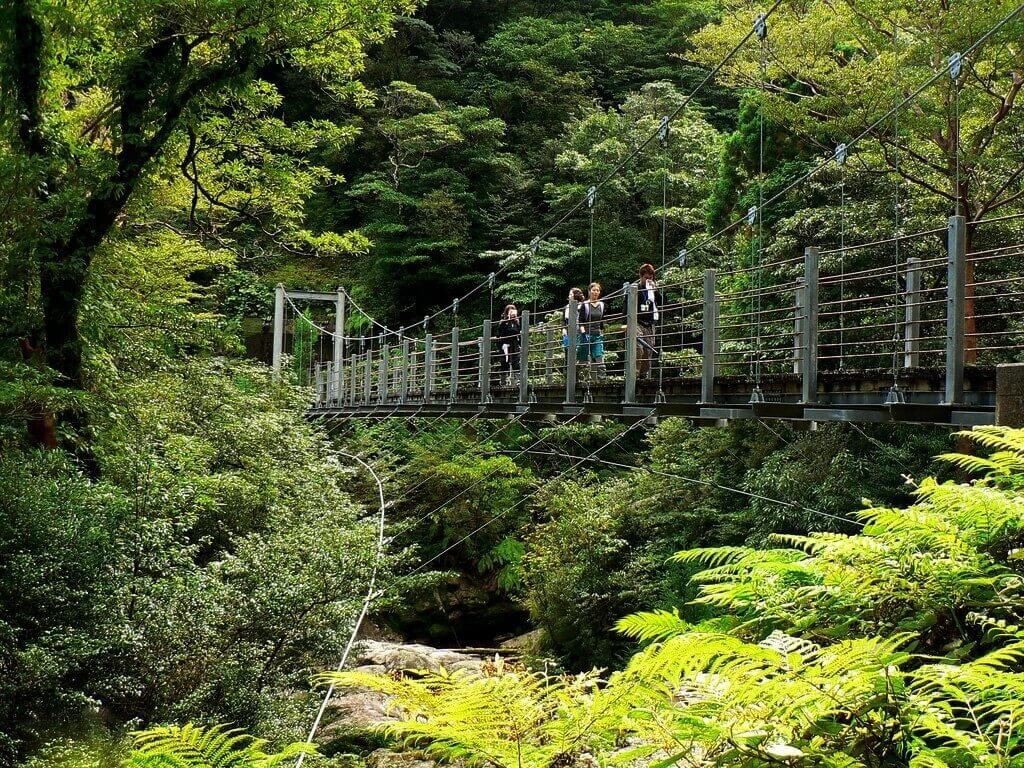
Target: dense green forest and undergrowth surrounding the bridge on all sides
184 551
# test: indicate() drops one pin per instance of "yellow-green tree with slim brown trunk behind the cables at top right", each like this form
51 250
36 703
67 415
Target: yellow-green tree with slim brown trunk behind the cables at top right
835 69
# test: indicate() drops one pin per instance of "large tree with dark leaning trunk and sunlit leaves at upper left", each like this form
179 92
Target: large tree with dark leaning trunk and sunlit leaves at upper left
97 101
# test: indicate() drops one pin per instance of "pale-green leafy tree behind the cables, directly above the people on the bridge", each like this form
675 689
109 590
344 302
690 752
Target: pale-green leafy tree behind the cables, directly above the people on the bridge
628 211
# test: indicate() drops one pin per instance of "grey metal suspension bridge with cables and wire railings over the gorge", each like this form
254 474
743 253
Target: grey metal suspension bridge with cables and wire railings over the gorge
917 333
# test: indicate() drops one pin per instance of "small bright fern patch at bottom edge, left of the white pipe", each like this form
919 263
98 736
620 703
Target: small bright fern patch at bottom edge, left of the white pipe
195 747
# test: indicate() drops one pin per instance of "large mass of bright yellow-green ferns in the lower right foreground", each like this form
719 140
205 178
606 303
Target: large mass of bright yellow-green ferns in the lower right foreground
895 646
